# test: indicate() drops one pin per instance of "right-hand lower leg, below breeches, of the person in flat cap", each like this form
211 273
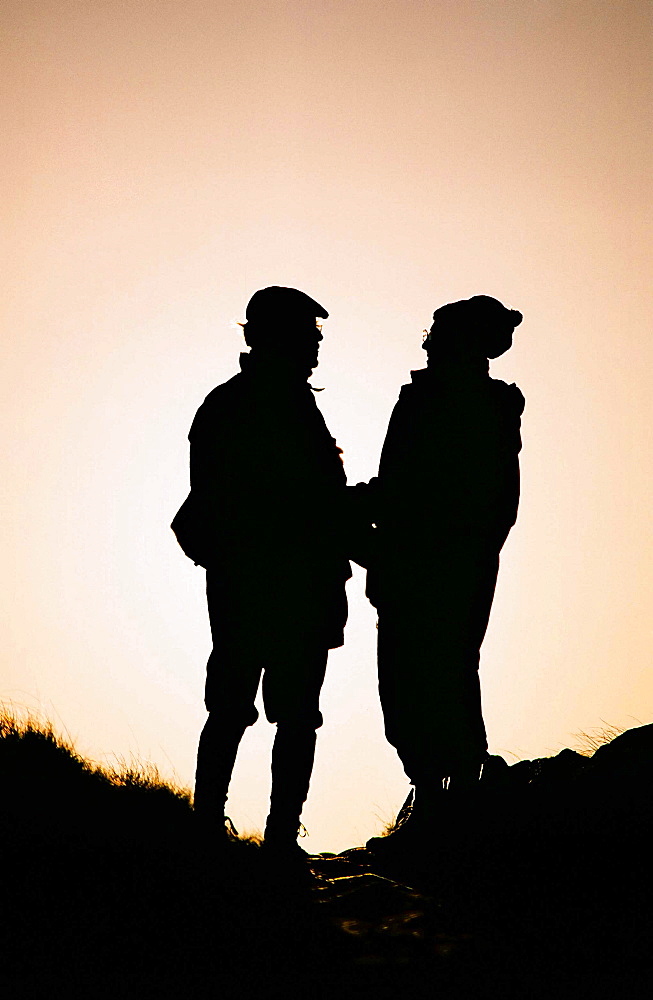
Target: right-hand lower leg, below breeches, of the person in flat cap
293 754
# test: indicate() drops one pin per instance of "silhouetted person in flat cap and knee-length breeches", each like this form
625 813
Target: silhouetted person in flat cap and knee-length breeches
267 486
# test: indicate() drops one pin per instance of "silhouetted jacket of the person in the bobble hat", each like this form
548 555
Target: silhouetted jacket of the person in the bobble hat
448 483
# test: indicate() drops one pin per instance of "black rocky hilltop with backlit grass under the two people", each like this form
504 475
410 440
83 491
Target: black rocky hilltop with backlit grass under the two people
540 887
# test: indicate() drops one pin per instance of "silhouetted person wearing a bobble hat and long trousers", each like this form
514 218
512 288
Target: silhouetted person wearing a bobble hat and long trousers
444 501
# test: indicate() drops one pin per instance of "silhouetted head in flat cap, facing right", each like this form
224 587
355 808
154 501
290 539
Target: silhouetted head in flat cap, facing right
282 323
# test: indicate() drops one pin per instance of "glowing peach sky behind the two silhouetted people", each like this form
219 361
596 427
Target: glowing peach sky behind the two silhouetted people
162 160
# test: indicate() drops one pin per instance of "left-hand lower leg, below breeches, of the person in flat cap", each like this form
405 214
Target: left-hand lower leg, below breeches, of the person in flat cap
216 756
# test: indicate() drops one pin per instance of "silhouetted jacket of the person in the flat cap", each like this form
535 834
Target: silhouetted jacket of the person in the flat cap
267 492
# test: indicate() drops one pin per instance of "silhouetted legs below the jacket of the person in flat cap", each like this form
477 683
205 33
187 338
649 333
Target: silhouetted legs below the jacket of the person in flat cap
251 642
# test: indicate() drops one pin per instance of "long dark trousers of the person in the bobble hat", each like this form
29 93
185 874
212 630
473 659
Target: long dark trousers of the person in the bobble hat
428 654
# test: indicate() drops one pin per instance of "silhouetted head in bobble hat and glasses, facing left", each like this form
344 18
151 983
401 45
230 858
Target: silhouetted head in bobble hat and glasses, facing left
477 327
